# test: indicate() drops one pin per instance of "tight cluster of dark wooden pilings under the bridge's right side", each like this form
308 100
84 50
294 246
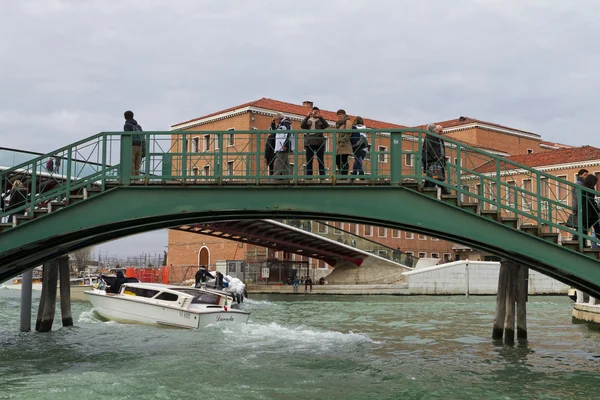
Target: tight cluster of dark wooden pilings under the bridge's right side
511 300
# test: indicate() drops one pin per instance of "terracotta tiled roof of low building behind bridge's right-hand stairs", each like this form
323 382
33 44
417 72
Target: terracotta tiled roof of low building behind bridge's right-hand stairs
554 157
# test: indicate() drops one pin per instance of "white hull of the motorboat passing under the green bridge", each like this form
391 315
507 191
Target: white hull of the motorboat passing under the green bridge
120 309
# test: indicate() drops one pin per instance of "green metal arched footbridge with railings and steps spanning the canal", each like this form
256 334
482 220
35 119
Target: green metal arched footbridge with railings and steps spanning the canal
90 195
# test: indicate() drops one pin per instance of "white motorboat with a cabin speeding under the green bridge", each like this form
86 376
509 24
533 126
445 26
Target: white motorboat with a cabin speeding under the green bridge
166 305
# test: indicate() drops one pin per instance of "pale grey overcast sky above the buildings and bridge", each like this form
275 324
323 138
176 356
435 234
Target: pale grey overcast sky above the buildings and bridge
70 68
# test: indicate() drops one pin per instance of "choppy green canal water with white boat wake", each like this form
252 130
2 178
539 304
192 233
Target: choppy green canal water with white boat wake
308 347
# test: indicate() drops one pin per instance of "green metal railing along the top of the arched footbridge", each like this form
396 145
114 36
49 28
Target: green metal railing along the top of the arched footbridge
394 157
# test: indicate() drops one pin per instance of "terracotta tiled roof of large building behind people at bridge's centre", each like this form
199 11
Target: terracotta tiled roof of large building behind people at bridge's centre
289 108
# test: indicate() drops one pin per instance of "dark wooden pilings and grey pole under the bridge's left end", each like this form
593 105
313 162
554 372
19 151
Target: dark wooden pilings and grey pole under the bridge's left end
52 270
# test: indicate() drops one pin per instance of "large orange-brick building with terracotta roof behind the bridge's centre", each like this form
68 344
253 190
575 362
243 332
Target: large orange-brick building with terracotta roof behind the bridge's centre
187 249
